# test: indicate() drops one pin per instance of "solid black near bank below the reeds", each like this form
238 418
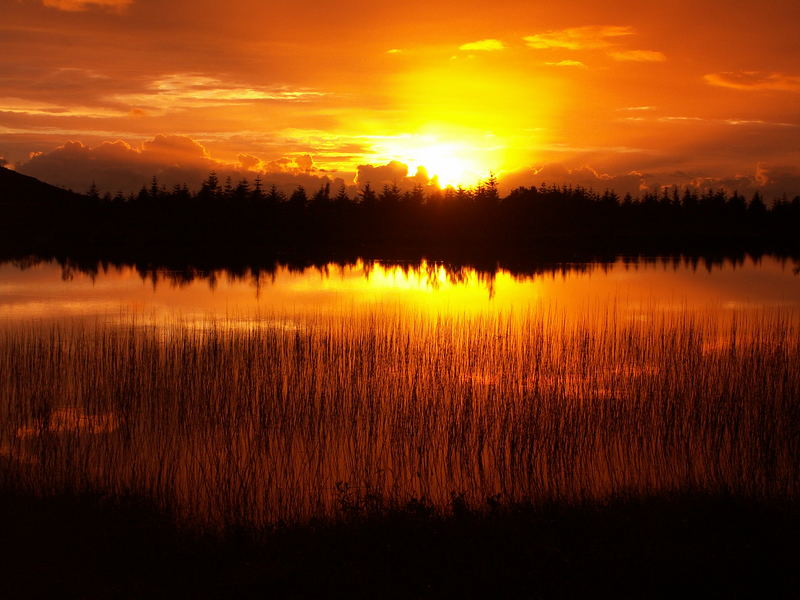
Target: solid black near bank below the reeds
686 546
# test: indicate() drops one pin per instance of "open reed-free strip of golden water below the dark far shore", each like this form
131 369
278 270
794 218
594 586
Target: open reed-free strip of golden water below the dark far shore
48 292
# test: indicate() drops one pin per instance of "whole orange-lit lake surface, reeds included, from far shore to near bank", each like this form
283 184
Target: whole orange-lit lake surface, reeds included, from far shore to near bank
299 394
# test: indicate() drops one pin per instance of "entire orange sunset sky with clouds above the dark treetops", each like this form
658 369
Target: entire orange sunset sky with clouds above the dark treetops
626 94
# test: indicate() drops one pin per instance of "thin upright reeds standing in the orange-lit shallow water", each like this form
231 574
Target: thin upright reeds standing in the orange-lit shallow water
290 418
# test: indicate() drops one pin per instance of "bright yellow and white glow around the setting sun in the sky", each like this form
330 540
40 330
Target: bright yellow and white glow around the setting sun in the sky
458 119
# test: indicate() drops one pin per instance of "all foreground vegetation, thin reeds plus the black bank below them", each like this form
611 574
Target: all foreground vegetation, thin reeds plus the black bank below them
544 462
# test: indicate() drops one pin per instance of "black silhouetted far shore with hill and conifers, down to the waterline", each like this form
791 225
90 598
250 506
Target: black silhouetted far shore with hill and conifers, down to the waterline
231 221
